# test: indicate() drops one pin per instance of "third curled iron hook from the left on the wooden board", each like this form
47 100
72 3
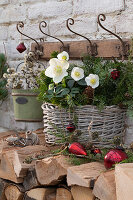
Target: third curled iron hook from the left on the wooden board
93 50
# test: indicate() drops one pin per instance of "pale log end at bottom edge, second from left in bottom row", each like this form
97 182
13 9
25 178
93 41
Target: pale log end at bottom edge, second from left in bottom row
39 193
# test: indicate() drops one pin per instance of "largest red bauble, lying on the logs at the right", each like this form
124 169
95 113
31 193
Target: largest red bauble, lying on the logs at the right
114 156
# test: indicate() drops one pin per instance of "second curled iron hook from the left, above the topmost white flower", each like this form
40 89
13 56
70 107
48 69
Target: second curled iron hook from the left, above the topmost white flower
43 24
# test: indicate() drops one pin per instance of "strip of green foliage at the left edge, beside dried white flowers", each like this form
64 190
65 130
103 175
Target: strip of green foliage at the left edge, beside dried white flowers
3 82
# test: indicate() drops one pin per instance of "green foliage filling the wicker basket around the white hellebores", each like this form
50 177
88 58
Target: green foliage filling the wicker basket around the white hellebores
70 93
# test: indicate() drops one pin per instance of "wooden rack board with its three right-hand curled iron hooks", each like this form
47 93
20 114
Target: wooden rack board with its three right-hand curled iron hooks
117 48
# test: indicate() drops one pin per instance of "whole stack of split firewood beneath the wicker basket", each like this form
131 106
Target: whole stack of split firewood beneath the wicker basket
55 178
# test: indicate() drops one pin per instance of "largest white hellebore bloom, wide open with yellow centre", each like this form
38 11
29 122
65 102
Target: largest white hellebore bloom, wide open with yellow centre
57 70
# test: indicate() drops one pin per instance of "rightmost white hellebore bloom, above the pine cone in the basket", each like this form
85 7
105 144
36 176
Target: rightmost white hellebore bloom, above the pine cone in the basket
92 80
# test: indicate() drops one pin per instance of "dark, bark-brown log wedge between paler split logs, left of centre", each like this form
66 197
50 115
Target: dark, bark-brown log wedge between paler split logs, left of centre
30 181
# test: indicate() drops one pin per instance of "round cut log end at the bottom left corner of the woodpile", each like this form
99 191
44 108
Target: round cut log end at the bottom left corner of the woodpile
14 192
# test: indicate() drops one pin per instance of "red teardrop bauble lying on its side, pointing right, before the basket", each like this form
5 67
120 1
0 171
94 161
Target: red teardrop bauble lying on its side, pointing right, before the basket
77 148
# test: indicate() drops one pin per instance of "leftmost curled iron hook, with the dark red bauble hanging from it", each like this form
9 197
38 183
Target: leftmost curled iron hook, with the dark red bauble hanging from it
38 46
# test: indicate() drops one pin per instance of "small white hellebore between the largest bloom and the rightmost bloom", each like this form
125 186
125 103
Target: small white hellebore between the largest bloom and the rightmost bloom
77 73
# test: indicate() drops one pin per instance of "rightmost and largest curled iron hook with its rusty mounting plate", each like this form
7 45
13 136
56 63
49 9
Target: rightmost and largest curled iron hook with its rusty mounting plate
124 47
